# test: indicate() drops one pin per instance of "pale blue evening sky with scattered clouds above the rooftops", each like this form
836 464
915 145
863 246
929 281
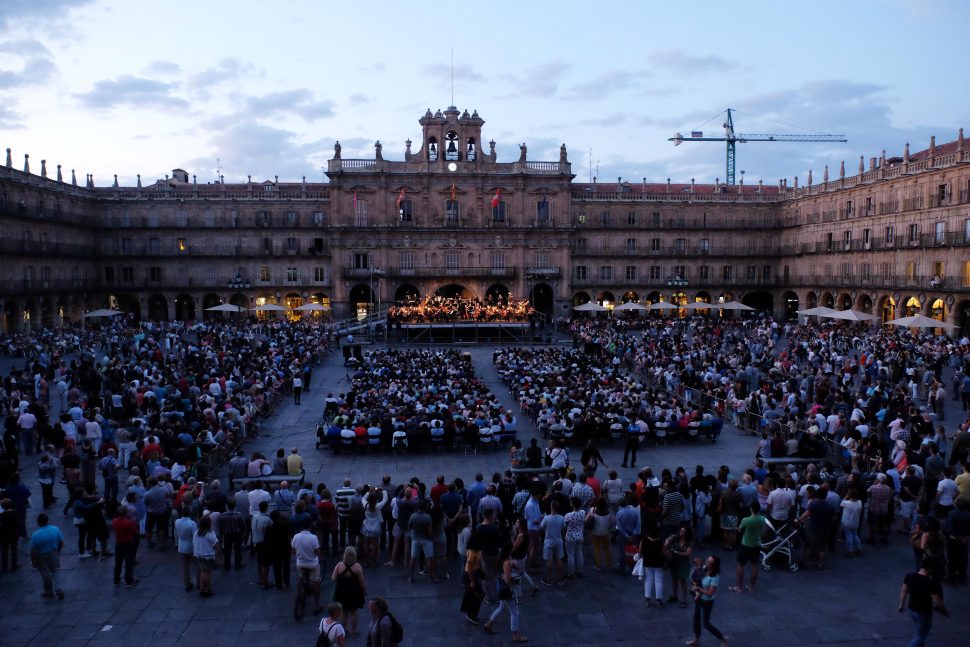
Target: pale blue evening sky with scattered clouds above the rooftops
130 87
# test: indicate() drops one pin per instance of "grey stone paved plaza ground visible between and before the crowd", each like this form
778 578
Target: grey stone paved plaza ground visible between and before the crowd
852 602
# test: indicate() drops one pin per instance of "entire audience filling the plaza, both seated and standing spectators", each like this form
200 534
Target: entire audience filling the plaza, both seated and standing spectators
142 408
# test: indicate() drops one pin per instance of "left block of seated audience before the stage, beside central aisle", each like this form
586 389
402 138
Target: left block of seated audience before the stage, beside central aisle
411 400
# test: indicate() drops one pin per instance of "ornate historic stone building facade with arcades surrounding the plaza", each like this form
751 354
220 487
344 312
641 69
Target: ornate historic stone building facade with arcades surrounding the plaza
451 219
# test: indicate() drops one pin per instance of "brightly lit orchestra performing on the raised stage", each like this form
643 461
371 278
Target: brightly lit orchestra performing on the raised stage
438 309
